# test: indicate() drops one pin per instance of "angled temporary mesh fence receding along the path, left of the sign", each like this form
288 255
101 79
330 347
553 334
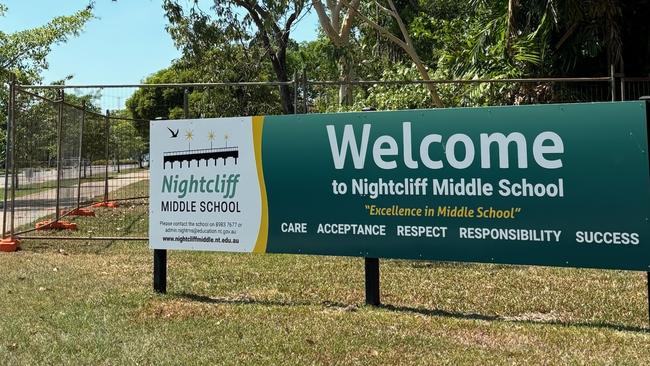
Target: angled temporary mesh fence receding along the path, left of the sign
67 155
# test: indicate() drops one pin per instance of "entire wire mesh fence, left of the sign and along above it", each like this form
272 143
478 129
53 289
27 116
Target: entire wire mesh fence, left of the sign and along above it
71 147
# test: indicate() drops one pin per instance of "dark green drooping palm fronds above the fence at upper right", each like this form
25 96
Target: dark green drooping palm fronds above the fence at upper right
536 38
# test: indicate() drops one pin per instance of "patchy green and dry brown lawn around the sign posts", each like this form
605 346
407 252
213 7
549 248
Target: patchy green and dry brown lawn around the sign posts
91 302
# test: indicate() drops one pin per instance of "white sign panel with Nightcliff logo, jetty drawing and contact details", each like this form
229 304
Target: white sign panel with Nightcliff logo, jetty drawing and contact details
205 191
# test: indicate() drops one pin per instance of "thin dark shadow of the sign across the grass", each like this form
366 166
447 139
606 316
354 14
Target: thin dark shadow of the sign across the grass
406 309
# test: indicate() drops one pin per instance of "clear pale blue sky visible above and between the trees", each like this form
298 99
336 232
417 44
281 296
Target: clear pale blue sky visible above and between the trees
126 43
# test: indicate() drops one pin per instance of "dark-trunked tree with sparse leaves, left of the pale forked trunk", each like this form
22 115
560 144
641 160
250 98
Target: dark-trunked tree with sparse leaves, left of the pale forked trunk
266 22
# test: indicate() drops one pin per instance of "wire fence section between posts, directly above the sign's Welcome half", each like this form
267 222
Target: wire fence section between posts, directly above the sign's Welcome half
323 96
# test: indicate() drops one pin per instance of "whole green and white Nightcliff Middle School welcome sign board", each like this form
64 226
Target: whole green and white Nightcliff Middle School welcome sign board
558 185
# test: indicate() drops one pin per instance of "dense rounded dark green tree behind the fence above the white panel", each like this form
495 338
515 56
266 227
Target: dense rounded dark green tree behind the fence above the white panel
230 64
